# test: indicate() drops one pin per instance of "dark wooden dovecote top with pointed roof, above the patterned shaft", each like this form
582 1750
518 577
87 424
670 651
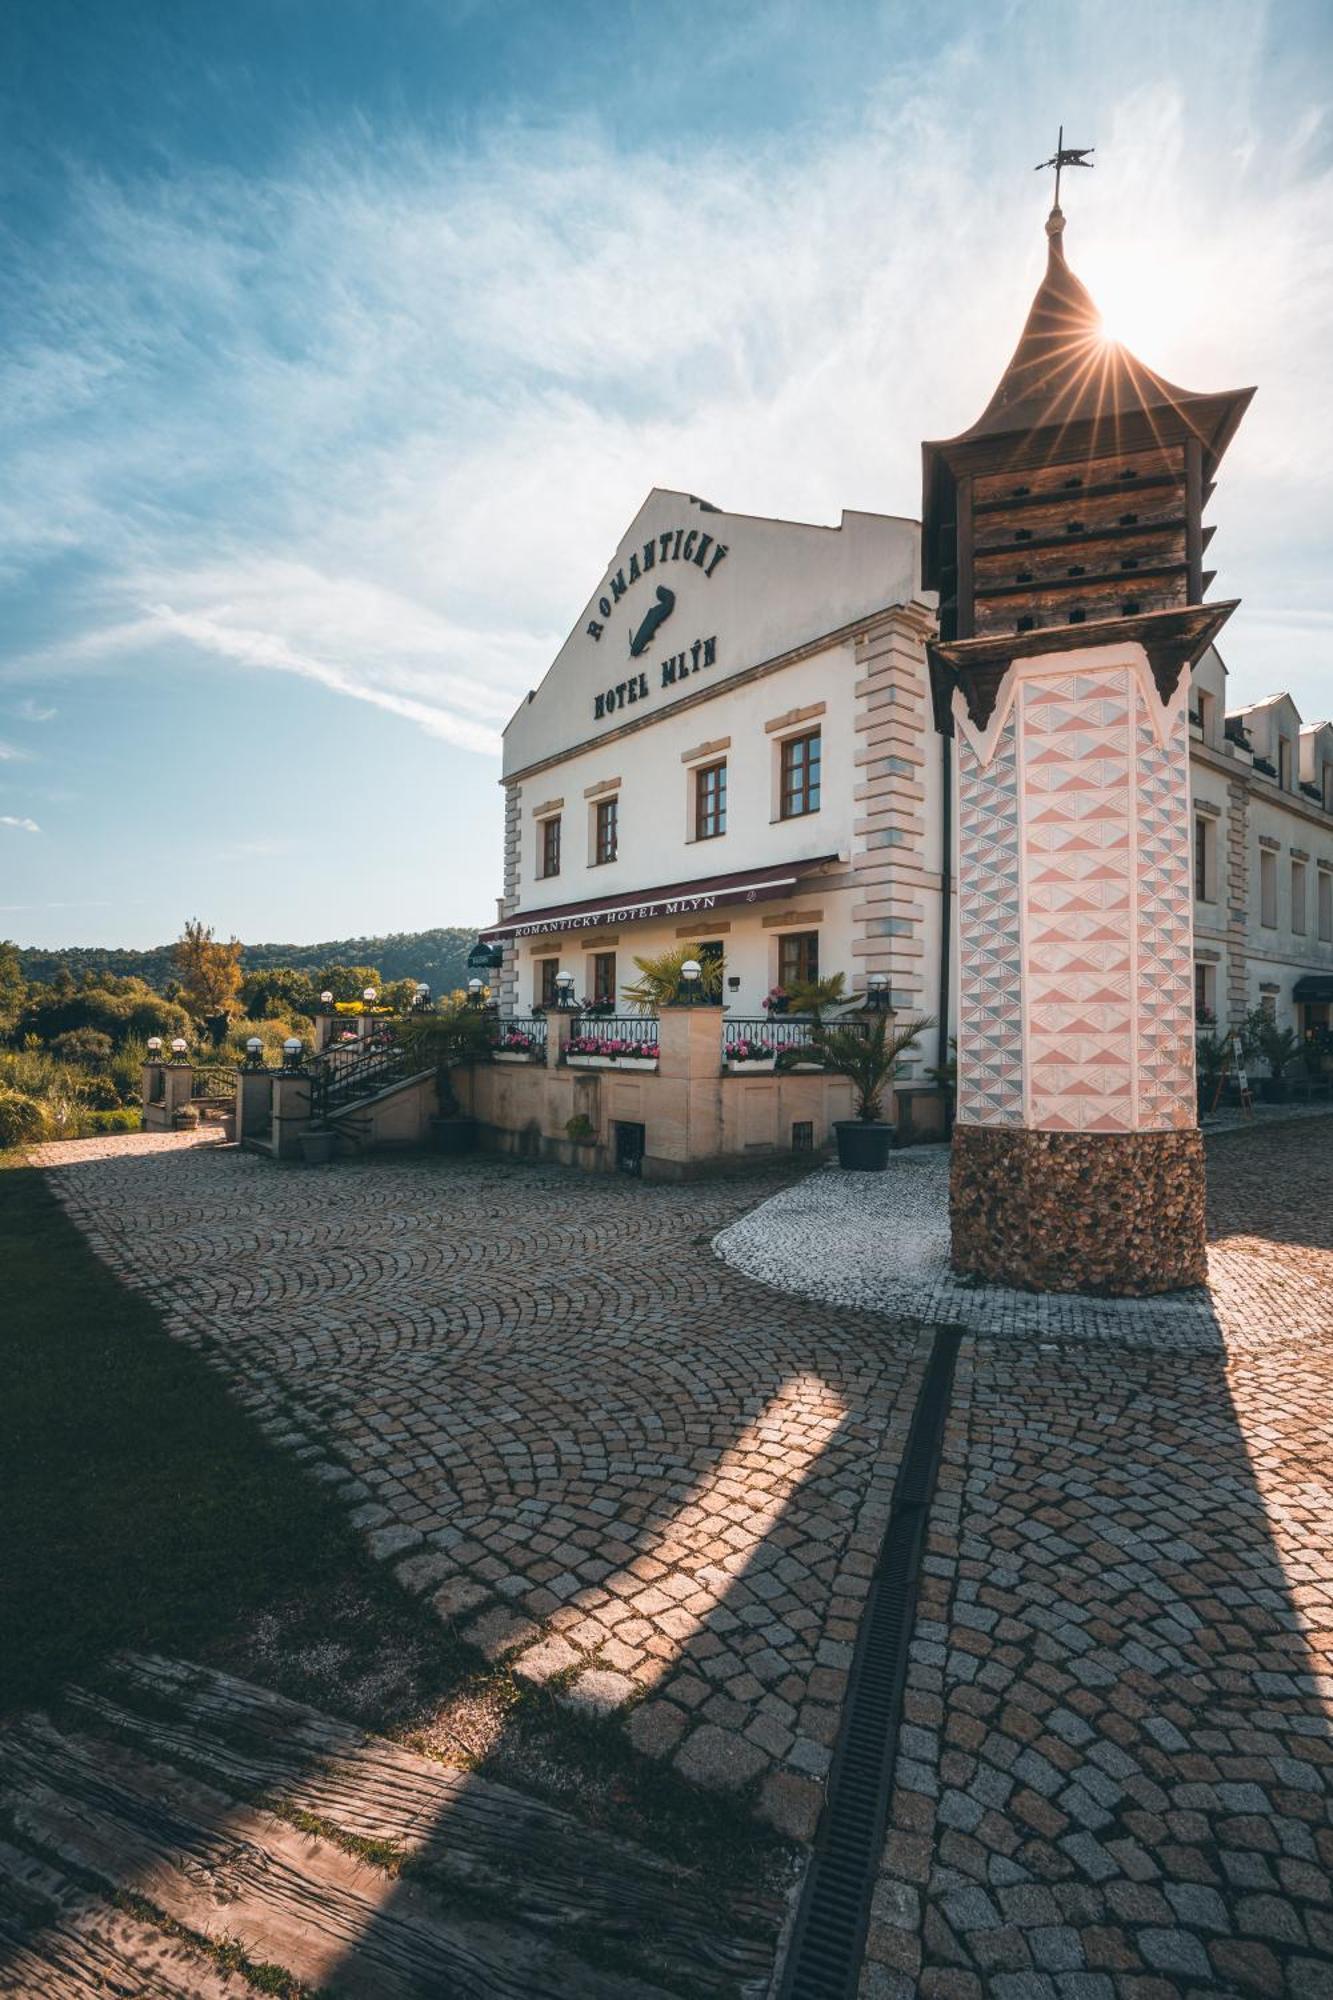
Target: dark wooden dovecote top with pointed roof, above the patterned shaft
1076 499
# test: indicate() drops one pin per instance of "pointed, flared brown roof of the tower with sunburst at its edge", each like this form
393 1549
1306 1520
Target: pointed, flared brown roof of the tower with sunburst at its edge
1070 393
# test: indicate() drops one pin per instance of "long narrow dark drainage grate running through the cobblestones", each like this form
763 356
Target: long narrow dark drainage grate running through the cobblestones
828 1943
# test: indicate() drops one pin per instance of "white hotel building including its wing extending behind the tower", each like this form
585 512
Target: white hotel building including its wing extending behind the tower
736 749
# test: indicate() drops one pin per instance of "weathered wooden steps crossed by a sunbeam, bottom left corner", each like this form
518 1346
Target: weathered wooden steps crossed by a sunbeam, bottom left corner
177 1831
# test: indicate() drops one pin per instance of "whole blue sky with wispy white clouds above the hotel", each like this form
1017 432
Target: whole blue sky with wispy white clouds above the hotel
341 339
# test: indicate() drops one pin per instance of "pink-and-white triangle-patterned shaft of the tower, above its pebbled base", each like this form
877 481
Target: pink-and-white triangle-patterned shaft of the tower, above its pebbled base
1076 903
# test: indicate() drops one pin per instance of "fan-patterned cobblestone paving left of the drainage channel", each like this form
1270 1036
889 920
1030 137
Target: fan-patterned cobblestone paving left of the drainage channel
551 1407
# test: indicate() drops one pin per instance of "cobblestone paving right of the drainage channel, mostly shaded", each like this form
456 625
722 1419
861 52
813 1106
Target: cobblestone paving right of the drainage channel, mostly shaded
1116 1781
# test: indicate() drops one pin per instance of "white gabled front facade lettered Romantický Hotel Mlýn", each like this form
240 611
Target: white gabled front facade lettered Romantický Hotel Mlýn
730 753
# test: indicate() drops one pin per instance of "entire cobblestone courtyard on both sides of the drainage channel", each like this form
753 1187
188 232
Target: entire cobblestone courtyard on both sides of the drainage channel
619 1459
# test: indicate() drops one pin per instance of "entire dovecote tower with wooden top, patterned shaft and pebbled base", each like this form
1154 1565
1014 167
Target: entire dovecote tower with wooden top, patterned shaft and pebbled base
1066 539
